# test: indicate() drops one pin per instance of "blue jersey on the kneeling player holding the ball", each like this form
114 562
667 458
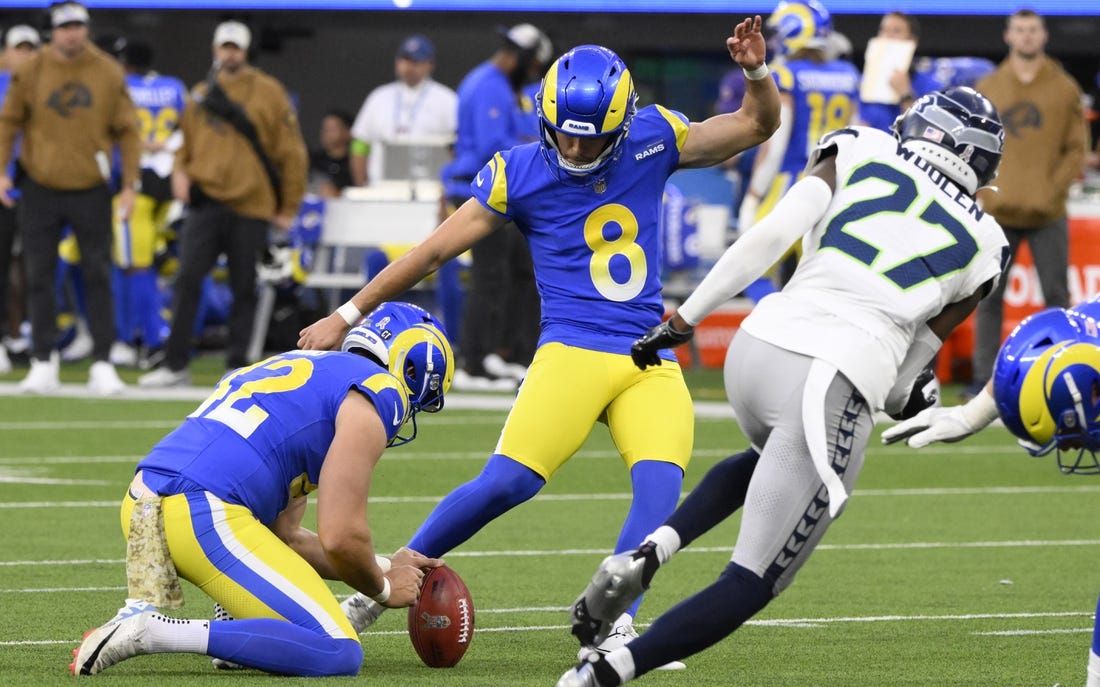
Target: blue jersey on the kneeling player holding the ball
261 438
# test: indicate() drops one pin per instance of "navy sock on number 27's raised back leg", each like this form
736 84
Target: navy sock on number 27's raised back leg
717 497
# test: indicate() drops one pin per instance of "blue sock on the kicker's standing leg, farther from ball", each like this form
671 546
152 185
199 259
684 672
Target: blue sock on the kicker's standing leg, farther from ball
656 492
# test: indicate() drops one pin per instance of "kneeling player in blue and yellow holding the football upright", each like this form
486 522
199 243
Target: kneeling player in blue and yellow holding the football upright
232 483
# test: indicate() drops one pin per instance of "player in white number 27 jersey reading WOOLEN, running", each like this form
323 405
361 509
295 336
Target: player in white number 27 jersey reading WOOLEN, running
896 253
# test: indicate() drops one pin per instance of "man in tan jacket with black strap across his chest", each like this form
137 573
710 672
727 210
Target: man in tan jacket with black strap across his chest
232 196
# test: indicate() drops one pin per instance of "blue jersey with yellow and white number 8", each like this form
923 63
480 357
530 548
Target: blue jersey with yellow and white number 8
597 249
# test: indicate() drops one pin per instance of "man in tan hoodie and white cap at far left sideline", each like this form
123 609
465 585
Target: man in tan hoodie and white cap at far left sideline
72 107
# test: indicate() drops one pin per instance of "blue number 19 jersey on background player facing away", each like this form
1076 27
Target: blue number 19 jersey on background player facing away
824 95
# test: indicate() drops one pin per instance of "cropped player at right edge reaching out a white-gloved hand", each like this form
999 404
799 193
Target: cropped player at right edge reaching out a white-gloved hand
1049 372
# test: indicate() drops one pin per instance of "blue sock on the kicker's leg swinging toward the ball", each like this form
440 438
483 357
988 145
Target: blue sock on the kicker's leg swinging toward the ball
501 486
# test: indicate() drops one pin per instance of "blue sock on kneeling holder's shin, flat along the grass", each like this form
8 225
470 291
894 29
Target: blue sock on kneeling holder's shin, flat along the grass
284 648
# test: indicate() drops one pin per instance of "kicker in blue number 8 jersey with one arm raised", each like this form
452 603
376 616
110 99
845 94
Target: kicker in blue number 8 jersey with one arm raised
587 198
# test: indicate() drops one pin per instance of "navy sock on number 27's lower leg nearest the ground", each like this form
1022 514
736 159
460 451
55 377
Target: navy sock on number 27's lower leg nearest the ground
701 620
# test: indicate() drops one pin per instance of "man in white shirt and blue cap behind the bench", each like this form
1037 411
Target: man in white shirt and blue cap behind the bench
413 107
